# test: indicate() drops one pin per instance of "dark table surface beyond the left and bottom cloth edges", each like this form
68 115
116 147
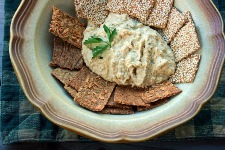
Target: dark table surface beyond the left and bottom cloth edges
210 144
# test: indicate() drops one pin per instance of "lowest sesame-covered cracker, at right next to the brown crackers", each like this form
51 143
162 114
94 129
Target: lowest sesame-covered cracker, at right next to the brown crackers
186 70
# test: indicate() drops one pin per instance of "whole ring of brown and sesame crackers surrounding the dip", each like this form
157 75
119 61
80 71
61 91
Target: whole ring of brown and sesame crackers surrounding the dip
93 92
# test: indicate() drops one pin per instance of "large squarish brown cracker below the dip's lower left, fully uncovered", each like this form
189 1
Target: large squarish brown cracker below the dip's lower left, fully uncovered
94 92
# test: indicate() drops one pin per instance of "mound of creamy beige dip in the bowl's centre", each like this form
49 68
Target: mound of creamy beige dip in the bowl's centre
138 56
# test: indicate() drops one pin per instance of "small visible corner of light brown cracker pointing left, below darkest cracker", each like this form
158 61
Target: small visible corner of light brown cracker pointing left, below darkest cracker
63 75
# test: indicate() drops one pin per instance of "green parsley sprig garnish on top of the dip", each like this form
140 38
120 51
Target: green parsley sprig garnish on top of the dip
103 45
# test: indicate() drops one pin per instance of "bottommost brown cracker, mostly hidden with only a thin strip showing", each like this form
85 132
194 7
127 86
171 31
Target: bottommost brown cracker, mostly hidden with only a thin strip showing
117 111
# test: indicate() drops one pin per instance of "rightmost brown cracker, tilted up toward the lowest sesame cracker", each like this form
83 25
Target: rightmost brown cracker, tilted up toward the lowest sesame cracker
160 91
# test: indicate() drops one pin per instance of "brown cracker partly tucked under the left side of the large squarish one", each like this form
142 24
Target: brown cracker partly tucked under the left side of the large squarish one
77 81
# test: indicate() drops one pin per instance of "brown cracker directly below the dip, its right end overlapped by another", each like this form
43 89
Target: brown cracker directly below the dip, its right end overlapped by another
129 96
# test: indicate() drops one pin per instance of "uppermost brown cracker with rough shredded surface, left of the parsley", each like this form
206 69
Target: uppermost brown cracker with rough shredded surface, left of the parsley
67 28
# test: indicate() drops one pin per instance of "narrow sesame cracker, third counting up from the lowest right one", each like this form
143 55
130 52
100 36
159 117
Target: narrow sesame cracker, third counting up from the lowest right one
175 21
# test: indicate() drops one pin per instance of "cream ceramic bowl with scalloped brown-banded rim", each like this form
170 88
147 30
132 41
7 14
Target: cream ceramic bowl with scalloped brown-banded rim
31 48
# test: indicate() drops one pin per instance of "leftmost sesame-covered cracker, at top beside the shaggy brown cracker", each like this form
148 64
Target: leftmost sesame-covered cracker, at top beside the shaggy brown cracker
93 10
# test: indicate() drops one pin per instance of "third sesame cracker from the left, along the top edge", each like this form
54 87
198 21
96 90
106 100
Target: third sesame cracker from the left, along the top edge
140 9
